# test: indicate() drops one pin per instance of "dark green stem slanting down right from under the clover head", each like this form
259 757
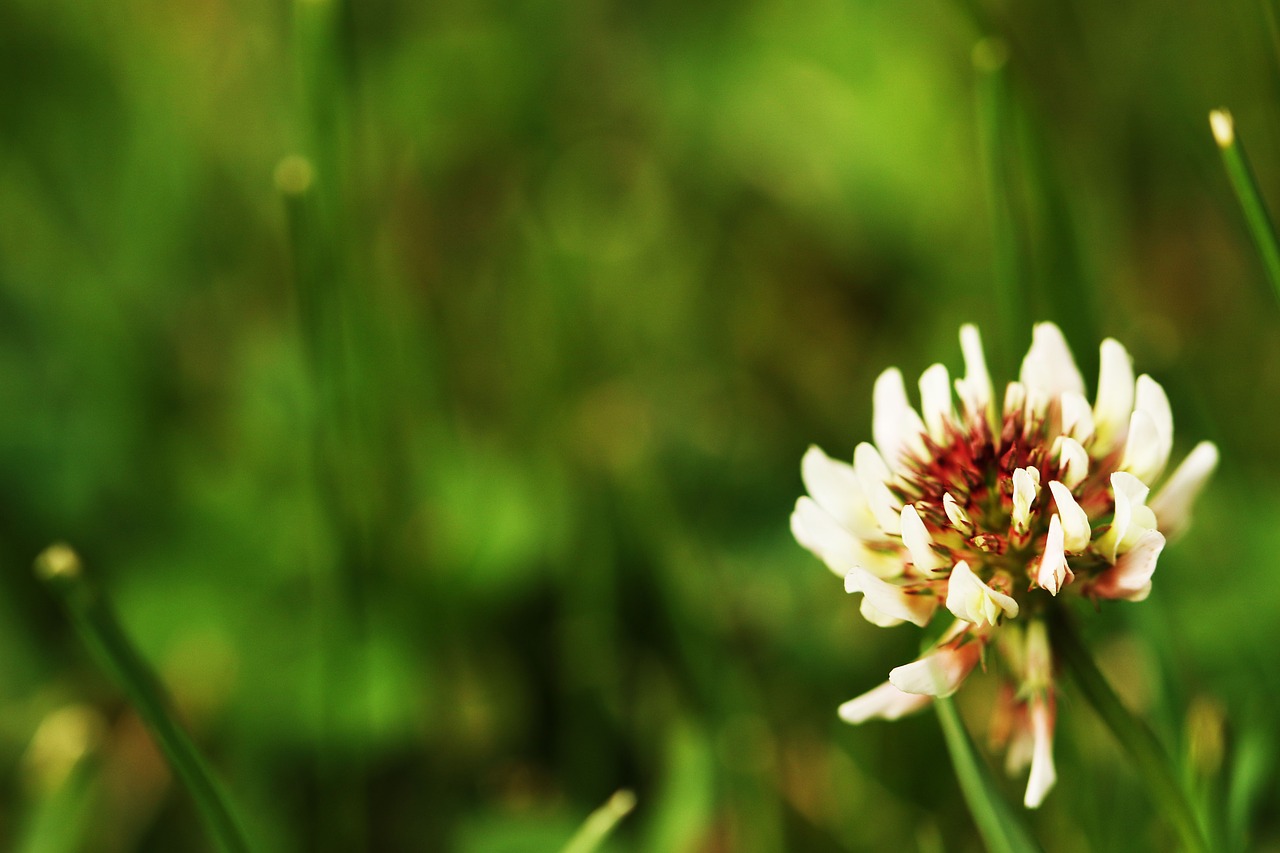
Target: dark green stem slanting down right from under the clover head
1133 735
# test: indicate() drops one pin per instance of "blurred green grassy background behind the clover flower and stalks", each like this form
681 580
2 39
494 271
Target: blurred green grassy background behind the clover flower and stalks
450 495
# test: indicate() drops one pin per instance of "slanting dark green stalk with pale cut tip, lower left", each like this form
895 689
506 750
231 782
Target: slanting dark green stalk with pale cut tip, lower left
61 569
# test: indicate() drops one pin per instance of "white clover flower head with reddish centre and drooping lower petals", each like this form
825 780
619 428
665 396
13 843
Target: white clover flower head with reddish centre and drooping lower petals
991 513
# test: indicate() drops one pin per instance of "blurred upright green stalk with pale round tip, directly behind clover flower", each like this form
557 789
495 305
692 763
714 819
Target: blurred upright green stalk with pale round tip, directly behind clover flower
991 63
